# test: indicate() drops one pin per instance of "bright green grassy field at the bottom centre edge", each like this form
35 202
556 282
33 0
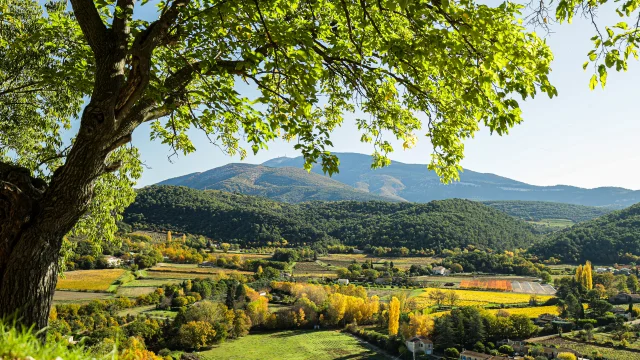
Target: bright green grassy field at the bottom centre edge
294 345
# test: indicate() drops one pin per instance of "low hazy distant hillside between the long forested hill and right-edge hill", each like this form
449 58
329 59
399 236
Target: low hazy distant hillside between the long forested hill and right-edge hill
539 210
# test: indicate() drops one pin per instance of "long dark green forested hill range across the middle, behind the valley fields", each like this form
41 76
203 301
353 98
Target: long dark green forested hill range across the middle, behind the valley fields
256 220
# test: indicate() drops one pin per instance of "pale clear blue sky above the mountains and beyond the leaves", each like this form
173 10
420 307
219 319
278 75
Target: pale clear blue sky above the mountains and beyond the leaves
583 138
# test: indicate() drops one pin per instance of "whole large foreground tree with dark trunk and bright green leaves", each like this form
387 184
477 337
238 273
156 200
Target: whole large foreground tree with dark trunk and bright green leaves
309 61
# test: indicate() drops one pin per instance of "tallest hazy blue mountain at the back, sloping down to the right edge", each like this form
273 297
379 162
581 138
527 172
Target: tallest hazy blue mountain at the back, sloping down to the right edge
414 183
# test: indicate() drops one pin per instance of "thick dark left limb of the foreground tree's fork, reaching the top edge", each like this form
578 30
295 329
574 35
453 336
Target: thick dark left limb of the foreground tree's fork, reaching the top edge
91 24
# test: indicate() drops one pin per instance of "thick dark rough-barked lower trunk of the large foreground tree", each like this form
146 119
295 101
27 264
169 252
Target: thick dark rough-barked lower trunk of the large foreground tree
35 217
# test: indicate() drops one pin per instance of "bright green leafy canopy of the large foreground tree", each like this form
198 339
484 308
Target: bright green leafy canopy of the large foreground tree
438 68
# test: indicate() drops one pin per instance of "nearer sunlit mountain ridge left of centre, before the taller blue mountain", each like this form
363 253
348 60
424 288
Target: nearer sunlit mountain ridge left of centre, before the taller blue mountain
282 184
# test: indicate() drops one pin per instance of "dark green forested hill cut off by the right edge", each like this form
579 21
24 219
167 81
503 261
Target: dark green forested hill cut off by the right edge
604 240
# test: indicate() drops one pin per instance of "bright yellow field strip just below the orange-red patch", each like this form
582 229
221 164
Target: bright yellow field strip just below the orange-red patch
481 298
